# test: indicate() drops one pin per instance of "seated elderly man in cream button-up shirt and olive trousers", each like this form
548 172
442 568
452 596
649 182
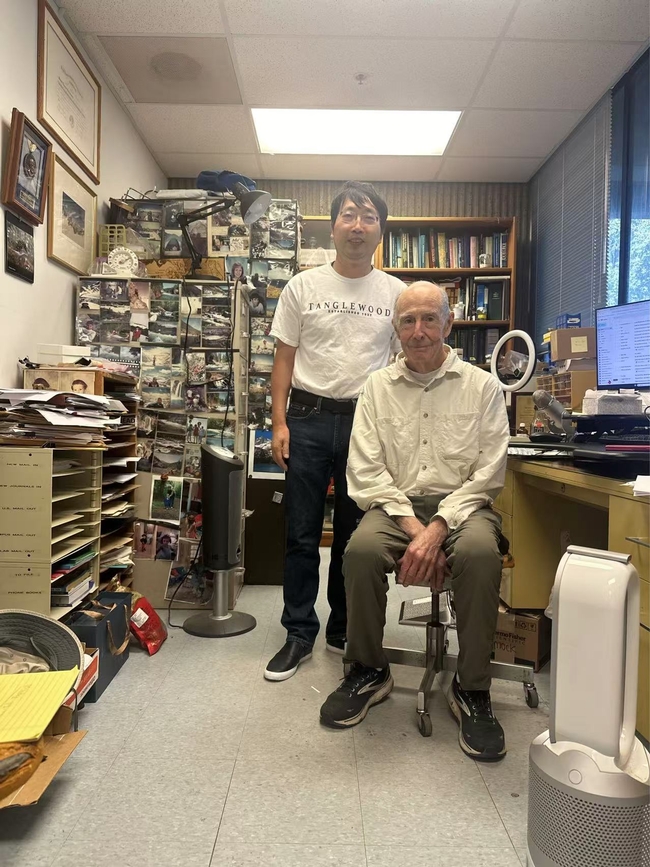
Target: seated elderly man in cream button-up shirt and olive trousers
427 457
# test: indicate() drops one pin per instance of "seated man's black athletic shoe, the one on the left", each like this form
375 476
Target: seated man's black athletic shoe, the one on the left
362 688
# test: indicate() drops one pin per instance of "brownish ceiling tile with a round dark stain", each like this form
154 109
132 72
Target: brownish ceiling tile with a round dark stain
175 69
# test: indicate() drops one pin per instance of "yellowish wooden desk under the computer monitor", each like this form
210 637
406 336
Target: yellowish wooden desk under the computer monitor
548 505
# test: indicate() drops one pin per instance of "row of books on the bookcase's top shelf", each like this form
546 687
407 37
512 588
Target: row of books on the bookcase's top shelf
428 249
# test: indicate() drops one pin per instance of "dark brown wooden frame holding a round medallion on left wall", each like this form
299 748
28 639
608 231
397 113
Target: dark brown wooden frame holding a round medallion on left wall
27 172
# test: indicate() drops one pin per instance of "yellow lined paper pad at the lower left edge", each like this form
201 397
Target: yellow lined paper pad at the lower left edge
28 702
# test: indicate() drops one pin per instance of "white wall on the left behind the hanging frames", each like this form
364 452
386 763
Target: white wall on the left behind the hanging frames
43 313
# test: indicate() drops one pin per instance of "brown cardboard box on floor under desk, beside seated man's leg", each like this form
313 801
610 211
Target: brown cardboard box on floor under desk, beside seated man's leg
522 637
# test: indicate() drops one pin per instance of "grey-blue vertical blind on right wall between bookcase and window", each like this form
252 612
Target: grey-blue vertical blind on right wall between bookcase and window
568 202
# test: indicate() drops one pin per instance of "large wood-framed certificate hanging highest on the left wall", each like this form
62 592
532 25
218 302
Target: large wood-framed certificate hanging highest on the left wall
69 94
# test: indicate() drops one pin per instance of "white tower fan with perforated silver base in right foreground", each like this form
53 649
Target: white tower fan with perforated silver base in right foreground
589 785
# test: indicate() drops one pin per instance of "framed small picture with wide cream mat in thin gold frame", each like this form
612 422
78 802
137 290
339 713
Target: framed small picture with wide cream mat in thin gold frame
72 220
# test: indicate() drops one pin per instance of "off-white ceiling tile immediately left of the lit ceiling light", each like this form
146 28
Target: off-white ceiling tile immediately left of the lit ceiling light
195 128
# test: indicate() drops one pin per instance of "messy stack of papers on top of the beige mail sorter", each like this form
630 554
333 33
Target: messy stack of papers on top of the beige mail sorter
59 419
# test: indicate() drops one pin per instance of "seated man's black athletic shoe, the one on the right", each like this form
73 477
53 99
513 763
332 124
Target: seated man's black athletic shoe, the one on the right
481 736
